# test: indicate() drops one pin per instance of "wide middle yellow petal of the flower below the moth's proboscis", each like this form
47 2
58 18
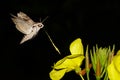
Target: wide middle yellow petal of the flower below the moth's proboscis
69 62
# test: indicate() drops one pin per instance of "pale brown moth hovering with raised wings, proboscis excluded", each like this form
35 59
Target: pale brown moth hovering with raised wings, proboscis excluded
26 25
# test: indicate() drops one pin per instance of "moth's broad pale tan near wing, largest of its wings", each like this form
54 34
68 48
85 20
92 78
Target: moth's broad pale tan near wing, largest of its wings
22 25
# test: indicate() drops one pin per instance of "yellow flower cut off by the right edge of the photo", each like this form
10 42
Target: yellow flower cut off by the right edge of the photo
114 68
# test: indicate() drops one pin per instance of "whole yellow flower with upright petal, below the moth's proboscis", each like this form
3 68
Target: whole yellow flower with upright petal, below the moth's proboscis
70 62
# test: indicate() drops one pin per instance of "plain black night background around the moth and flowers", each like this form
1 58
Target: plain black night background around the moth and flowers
95 22
